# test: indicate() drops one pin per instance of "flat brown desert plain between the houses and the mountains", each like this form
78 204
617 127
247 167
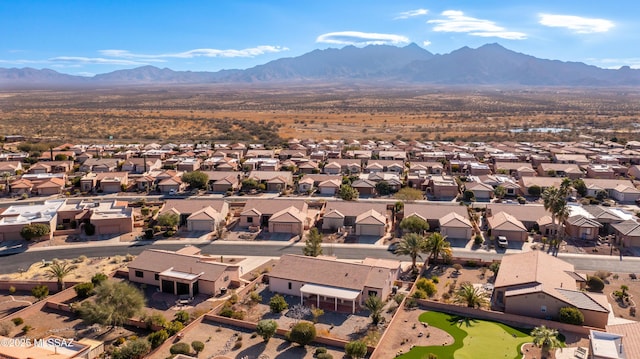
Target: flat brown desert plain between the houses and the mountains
271 115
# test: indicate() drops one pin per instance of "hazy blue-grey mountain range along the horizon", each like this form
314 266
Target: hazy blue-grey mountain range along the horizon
386 65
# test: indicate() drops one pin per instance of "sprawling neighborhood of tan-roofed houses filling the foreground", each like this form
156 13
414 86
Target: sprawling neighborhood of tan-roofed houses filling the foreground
516 206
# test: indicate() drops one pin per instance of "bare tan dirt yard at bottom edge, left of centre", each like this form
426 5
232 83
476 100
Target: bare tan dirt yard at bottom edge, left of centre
219 340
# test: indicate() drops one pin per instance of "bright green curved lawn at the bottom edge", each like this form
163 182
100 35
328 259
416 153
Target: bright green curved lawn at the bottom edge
473 339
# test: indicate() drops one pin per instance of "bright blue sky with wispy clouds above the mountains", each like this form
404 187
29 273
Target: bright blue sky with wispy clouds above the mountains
89 37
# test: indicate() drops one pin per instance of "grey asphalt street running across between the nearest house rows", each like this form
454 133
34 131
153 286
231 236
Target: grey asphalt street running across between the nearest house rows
12 263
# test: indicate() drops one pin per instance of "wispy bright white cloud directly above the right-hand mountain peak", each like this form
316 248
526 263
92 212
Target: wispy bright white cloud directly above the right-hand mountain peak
457 21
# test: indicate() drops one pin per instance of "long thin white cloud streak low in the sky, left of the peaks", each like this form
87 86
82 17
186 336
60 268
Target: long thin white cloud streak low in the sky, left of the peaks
249 52
